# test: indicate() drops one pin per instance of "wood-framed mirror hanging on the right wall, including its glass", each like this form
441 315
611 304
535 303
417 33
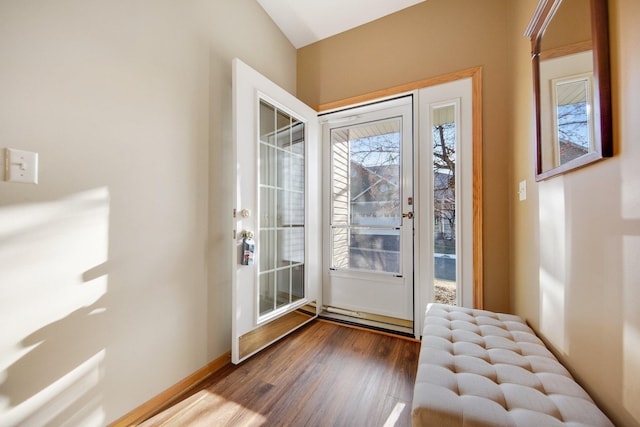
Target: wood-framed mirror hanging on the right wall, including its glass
571 82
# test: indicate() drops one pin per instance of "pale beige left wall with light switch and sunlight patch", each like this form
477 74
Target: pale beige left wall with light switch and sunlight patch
114 269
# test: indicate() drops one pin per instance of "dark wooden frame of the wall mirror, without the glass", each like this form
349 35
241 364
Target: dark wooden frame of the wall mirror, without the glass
602 85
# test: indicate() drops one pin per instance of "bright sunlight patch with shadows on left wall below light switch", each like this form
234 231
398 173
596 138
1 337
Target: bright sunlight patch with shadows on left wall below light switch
54 311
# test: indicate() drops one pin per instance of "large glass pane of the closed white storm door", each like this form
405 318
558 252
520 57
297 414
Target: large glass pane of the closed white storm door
366 196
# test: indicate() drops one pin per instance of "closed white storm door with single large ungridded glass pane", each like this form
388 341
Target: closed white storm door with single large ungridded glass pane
369 216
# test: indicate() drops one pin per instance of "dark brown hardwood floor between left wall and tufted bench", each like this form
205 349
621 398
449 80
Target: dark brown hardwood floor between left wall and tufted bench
324 374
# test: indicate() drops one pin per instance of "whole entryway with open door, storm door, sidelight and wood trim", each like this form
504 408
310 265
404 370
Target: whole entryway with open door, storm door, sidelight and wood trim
361 223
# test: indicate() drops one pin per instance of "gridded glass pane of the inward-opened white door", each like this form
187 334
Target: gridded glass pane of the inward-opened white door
282 210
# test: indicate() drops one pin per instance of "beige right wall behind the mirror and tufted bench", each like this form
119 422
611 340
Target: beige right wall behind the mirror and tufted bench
576 239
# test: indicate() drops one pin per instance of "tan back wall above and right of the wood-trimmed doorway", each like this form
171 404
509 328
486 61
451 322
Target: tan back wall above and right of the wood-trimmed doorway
427 40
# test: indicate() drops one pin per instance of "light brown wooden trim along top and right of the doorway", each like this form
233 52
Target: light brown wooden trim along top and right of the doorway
475 74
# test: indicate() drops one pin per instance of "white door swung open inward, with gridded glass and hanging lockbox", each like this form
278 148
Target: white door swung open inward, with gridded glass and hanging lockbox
276 274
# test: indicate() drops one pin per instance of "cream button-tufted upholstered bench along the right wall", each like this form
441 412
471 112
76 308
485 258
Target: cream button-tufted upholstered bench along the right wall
479 368
